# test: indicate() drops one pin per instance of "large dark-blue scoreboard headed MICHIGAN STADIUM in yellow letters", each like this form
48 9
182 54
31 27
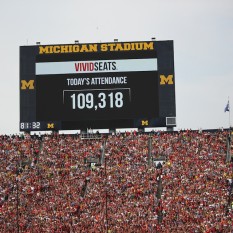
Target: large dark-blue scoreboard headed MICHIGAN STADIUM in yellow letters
97 85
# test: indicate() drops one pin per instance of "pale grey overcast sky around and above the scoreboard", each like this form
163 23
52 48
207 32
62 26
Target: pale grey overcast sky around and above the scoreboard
202 32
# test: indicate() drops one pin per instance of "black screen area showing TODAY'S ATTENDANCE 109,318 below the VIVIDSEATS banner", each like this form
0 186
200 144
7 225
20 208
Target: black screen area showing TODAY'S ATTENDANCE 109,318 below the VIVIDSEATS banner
62 98
